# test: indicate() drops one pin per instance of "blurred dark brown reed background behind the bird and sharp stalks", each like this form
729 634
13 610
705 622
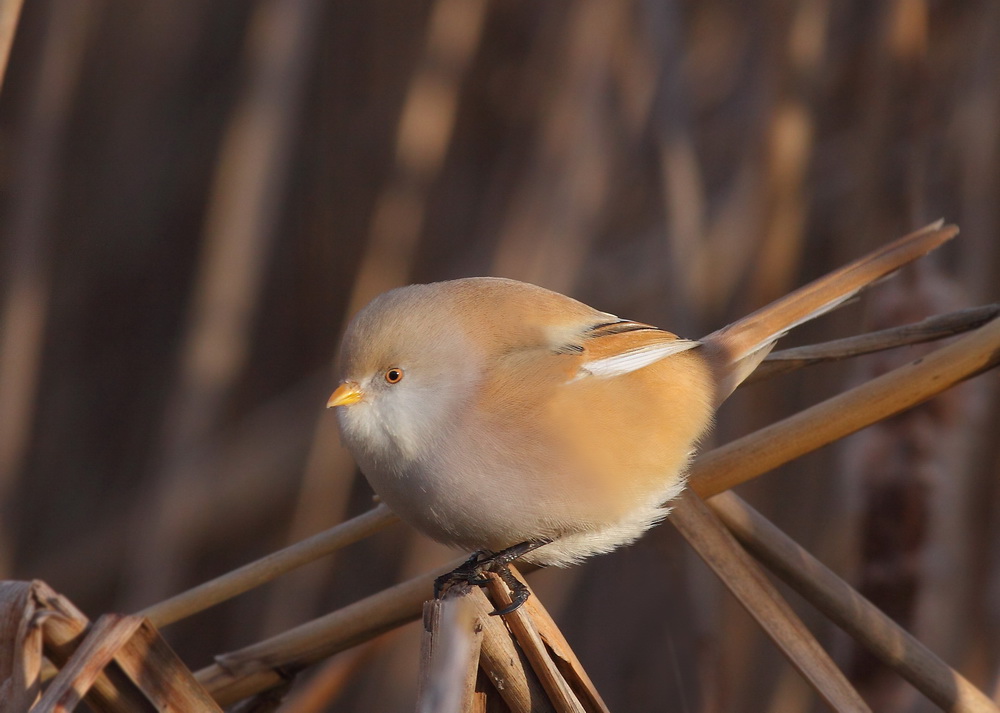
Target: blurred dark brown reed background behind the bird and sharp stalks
196 195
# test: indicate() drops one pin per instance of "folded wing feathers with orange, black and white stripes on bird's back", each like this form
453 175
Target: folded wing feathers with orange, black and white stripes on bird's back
620 347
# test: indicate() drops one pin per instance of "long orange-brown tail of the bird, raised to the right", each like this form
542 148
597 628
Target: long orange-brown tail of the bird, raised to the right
737 349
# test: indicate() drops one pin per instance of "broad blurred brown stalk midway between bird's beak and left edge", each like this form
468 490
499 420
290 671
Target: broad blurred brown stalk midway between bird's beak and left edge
240 227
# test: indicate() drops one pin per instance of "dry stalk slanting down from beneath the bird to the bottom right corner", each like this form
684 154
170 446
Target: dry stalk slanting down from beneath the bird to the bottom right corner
849 610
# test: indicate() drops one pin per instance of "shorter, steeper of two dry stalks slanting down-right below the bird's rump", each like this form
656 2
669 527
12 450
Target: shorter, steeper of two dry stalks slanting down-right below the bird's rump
720 551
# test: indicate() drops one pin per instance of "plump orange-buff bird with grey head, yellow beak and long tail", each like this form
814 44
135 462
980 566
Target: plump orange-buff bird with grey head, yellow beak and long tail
509 420
